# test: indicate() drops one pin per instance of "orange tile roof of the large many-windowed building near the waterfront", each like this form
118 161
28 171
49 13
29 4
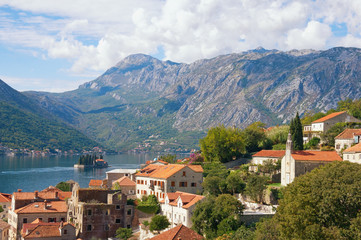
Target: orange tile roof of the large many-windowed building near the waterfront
165 171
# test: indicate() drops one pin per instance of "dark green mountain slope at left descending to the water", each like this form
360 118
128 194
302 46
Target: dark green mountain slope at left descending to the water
25 124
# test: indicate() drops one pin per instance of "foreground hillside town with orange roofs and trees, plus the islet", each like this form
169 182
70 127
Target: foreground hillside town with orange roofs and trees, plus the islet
255 183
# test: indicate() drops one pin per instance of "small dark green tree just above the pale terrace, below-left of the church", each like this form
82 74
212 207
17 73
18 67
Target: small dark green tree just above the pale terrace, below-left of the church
255 186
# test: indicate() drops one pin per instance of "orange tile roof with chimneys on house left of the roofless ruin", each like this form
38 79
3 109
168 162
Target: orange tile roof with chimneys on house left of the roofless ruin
39 207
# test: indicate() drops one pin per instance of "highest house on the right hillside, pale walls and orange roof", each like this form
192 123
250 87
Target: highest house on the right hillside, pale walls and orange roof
323 124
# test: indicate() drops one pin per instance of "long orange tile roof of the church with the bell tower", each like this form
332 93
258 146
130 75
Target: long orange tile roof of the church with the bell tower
324 156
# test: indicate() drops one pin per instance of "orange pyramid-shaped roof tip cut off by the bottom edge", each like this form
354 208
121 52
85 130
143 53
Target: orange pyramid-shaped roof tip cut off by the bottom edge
179 232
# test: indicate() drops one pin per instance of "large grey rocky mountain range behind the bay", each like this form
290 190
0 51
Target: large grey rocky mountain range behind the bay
145 101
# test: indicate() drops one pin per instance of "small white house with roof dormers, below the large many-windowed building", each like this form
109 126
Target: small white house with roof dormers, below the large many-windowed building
178 207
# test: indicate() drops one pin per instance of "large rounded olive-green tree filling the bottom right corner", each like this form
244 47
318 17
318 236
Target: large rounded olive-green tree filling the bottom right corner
322 204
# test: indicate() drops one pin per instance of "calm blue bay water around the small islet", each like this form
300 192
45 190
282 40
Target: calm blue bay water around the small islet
37 173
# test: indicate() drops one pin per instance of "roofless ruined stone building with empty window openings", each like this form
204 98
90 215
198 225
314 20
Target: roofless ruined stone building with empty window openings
98 213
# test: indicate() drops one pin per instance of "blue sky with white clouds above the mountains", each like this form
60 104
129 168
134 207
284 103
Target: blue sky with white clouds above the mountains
54 46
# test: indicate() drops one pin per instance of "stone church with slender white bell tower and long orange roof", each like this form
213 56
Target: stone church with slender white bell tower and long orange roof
296 163
